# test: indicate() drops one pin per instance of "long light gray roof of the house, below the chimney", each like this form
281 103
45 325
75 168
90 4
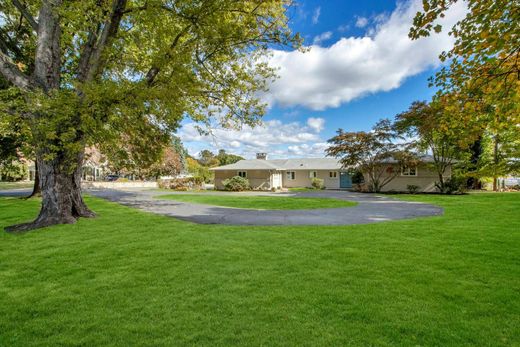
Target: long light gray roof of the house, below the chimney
283 164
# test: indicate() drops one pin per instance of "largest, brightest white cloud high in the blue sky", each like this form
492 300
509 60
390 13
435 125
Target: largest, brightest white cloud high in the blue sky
356 66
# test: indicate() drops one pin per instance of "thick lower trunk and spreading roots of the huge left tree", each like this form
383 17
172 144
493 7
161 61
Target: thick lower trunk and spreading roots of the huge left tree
62 202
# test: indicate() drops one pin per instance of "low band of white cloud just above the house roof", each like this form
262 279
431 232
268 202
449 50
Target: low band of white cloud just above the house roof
275 137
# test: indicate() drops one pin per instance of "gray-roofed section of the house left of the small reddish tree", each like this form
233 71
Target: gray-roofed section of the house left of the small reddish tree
267 174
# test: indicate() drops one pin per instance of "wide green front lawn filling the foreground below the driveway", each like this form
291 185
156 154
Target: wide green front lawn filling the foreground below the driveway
132 278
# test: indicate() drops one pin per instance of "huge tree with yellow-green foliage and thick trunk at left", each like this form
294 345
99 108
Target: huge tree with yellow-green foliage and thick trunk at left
104 72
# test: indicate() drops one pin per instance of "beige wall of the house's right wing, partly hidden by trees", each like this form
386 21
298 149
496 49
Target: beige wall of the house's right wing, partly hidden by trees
425 180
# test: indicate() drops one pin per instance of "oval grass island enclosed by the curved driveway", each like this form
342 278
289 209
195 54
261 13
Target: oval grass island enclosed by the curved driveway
260 202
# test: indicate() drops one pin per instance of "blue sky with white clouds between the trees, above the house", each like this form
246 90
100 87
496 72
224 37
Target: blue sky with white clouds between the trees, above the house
361 67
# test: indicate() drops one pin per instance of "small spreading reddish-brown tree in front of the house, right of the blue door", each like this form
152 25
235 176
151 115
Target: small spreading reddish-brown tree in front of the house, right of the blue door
371 152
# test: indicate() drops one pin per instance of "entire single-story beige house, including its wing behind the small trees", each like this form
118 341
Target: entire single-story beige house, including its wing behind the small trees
264 174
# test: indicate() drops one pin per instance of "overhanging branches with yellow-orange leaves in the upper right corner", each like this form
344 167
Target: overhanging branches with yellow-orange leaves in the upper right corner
486 52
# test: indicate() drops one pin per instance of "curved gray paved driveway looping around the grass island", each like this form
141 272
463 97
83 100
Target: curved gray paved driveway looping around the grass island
370 209
